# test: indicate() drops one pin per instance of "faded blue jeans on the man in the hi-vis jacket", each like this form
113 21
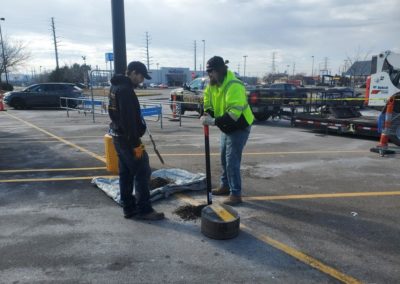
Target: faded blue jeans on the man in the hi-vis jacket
232 145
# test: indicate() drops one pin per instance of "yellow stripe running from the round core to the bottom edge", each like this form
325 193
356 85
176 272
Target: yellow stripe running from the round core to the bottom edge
313 262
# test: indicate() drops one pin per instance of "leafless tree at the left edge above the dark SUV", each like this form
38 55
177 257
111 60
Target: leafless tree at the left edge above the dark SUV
15 55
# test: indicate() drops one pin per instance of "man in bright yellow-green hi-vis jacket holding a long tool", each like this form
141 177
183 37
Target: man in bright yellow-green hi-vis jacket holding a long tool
225 105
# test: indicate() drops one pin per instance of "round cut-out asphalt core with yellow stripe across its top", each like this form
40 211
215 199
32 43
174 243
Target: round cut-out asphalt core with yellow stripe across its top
219 221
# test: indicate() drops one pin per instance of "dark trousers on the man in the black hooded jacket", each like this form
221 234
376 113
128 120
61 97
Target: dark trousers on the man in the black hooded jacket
133 173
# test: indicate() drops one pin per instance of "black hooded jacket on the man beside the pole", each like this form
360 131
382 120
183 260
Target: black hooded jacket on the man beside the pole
124 111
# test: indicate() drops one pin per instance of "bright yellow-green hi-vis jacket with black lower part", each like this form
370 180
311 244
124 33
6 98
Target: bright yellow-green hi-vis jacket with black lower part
228 104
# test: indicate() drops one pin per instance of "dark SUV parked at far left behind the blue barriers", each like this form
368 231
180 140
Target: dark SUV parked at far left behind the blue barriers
43 95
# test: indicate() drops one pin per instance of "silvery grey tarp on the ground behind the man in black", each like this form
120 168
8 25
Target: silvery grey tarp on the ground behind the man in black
181 181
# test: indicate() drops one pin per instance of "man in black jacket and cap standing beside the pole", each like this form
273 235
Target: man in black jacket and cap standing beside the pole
126 128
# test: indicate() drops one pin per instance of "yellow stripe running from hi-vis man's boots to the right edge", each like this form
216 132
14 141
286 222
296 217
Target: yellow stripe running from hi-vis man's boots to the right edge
323 195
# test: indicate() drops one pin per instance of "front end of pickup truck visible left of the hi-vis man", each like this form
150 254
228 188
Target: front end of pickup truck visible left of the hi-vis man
191 96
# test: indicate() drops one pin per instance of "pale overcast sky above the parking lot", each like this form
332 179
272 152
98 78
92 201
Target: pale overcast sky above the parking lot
295 31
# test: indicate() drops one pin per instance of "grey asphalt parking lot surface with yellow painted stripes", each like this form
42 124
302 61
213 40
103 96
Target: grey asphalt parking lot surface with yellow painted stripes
318 208
